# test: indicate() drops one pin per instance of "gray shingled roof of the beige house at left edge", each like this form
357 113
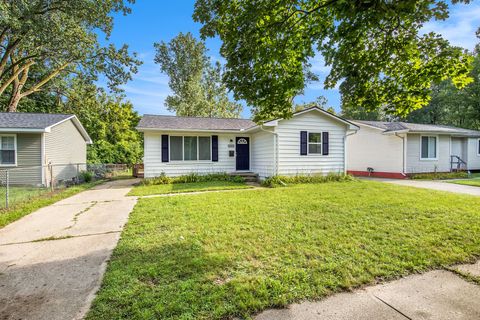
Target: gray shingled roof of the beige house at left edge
18 120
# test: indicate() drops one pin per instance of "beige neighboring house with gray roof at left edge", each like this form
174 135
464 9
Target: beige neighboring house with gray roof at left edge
30 142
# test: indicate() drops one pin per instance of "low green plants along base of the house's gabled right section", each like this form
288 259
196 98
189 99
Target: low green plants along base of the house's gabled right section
277 181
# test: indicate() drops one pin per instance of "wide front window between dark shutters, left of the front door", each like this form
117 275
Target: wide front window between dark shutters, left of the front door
190 148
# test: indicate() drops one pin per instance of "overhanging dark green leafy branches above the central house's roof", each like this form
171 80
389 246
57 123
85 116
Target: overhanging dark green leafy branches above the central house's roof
374 48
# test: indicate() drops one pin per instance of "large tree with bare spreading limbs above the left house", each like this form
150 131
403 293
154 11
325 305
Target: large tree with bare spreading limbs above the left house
51 39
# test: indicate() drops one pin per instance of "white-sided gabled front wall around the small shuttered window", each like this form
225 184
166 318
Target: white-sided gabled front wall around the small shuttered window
290 162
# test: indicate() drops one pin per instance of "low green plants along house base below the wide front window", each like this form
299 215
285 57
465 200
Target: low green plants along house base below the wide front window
192 177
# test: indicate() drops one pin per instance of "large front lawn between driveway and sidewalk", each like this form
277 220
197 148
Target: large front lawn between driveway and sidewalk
224 255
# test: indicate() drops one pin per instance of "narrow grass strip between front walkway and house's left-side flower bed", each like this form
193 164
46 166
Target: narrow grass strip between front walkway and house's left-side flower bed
145 190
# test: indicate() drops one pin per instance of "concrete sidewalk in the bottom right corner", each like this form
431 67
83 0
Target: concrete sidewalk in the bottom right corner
439 295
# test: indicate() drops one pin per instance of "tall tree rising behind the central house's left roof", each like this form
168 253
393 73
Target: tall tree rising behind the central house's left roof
198 89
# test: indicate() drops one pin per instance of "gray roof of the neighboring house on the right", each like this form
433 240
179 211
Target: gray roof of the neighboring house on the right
419 128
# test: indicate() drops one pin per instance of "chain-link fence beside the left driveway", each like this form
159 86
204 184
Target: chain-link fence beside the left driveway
22 184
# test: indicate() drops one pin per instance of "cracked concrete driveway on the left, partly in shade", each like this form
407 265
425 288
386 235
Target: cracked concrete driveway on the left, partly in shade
52 261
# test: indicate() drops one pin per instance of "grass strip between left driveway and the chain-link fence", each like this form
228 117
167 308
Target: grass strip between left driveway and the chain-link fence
28 202
